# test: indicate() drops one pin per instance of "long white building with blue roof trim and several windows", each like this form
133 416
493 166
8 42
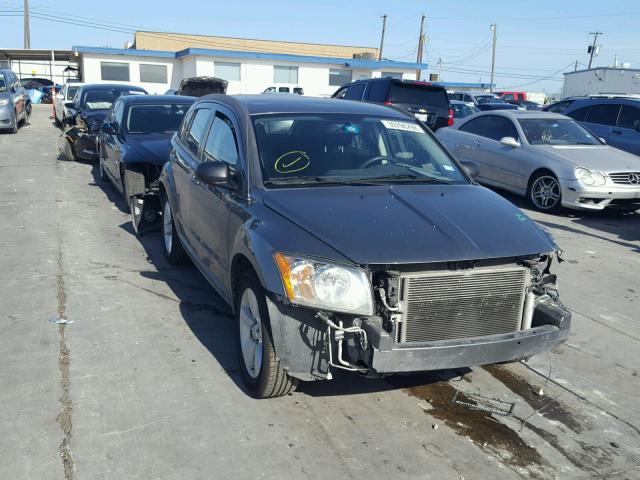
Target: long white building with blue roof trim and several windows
247 72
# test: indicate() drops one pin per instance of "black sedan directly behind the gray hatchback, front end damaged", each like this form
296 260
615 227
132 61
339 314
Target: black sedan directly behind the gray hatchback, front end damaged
134 144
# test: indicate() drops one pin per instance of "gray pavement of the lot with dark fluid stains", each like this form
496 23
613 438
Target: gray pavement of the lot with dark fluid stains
142 382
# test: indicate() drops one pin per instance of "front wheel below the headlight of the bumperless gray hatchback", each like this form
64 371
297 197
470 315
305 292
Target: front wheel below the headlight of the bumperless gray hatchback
261 370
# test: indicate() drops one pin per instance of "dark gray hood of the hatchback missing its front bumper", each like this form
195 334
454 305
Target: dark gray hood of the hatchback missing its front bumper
412 223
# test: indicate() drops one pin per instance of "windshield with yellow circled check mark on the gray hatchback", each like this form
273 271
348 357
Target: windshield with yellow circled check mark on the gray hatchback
340 148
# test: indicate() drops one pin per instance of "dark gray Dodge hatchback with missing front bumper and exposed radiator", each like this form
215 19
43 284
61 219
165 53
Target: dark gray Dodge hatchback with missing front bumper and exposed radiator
344 236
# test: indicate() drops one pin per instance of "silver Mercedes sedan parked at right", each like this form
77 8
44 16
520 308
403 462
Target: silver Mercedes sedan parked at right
548 158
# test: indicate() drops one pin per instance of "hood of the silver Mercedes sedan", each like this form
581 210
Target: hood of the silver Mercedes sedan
599 157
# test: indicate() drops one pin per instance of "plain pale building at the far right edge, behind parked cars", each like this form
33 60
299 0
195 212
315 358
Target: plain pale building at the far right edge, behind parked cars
601 80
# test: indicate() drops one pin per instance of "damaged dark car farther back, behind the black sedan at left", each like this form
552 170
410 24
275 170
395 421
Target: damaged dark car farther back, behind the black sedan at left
87 112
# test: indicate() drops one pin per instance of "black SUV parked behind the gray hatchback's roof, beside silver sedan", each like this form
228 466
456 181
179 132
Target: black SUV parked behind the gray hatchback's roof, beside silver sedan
428 103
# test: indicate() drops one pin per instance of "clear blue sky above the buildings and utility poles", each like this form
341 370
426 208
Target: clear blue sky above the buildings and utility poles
535 39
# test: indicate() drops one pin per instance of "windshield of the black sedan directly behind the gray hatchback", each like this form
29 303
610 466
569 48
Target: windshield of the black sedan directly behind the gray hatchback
155 118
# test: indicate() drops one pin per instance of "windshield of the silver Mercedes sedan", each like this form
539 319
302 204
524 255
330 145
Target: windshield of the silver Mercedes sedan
553 131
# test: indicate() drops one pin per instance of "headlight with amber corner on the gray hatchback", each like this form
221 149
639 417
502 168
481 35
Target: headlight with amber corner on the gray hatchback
313 283
